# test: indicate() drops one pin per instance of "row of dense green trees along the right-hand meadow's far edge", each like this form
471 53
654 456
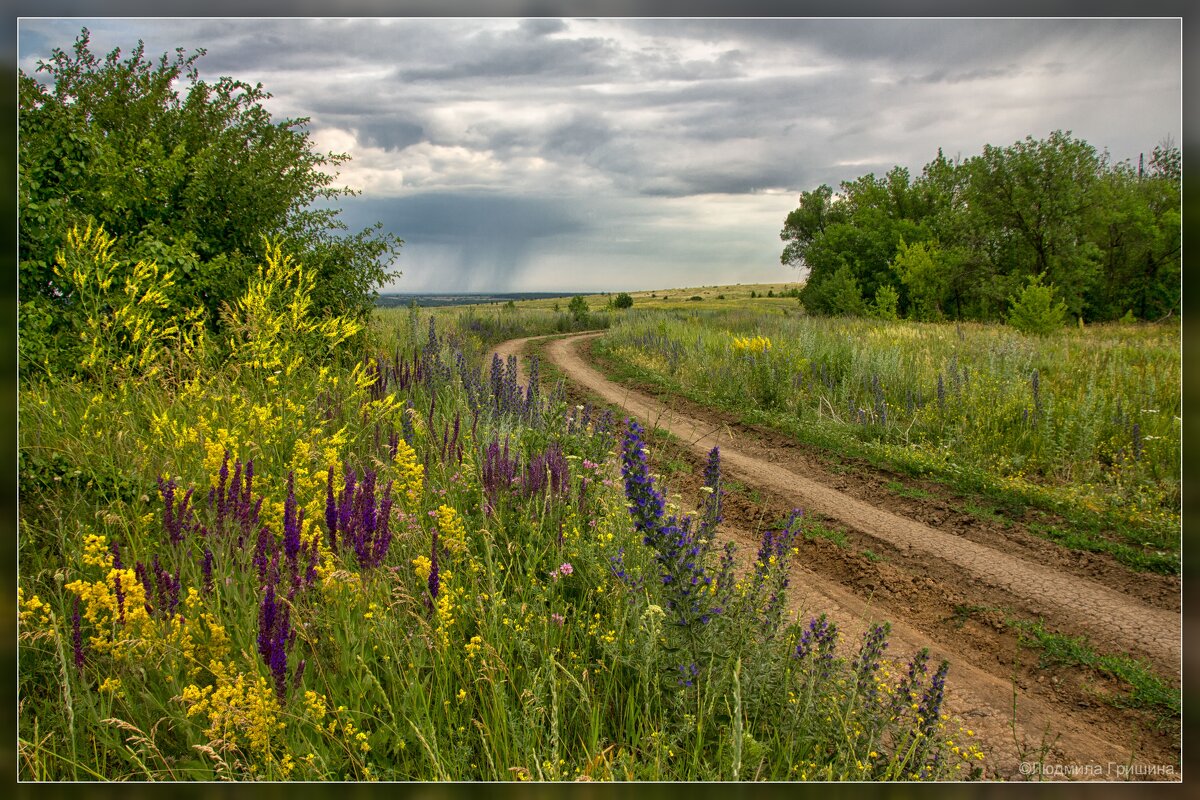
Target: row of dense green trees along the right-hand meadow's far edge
964 238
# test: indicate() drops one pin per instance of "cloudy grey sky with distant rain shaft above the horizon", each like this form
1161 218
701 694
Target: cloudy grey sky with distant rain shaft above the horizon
603 155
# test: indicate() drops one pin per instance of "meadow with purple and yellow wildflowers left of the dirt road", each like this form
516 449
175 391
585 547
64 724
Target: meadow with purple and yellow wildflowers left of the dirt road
281 560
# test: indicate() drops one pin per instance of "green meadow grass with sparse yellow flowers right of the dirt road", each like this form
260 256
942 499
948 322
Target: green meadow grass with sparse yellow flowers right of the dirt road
1084 424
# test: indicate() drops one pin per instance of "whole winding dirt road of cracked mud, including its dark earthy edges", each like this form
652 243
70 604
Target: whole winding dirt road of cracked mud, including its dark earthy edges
945 580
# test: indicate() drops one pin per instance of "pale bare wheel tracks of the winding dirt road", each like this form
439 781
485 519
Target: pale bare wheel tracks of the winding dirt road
1017 719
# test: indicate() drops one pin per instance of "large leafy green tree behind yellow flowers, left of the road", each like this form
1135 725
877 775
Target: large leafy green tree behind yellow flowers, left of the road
188 175
